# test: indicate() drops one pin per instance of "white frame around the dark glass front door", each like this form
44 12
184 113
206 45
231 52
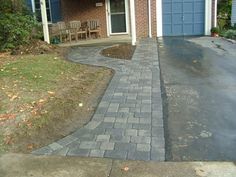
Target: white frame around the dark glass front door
109 28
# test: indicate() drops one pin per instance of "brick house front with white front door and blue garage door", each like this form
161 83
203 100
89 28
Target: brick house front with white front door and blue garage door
151 18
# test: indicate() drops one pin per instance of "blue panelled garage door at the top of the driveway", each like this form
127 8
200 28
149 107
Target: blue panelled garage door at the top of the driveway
183 17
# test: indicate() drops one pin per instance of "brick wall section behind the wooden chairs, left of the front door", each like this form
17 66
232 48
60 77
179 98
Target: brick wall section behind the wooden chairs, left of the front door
84 10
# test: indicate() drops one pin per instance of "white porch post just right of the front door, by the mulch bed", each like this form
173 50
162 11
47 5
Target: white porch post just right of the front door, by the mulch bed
133 22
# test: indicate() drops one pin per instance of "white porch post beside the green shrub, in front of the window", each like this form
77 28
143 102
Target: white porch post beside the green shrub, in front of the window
44 21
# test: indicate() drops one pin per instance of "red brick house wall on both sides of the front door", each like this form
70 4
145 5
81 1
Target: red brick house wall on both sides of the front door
85 10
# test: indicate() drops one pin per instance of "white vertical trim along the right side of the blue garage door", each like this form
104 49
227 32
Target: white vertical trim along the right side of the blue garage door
208 16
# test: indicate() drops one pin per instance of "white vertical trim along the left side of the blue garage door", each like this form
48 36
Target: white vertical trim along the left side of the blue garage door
159 18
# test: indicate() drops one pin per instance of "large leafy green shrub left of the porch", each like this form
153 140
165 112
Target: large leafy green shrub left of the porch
16 24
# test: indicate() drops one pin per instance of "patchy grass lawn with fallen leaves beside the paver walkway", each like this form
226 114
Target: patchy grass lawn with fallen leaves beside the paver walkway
44 98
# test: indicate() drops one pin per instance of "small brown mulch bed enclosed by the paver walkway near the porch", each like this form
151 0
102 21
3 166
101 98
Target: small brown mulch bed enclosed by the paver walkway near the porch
120 51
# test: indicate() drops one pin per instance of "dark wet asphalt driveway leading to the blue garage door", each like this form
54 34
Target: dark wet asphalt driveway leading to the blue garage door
200 92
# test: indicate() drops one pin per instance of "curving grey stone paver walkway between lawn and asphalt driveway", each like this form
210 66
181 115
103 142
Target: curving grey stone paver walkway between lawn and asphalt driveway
128 122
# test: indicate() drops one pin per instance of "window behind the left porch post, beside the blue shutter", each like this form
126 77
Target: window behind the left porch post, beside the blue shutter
38 10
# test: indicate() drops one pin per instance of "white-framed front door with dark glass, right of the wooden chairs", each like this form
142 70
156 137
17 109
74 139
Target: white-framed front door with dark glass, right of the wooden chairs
118 16
